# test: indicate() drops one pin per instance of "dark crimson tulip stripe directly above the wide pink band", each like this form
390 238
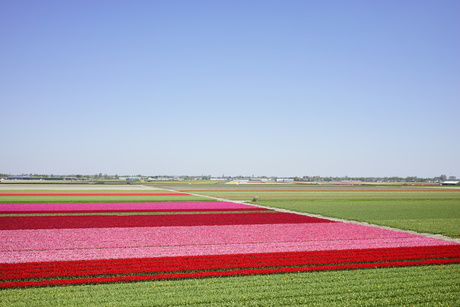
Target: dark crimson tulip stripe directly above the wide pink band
111 221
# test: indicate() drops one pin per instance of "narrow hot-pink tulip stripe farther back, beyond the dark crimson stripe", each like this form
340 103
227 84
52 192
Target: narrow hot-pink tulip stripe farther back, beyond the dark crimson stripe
154 206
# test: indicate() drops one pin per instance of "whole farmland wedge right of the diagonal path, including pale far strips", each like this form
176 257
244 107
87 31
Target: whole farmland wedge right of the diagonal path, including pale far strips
435 210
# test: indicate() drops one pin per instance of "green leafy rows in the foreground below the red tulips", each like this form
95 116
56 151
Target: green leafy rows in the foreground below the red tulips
411 286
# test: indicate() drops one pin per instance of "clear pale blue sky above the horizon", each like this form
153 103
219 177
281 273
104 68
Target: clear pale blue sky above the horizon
276 88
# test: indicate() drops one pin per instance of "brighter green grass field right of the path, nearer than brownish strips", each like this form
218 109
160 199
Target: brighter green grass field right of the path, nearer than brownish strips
438 216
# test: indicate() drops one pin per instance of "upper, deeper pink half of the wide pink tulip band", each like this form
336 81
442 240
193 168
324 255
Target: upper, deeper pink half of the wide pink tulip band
306 235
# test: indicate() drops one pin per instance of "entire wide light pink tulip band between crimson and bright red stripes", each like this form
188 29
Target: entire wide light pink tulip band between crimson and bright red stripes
101 243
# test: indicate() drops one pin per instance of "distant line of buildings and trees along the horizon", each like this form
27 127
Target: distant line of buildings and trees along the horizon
101 178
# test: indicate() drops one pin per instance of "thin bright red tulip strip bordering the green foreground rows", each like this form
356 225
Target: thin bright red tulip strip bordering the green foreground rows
37 283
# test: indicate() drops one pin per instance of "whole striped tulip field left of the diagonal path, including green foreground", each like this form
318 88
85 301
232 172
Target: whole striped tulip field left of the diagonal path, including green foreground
66 242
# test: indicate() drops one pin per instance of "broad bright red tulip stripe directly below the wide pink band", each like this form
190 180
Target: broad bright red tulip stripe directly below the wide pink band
213 262
